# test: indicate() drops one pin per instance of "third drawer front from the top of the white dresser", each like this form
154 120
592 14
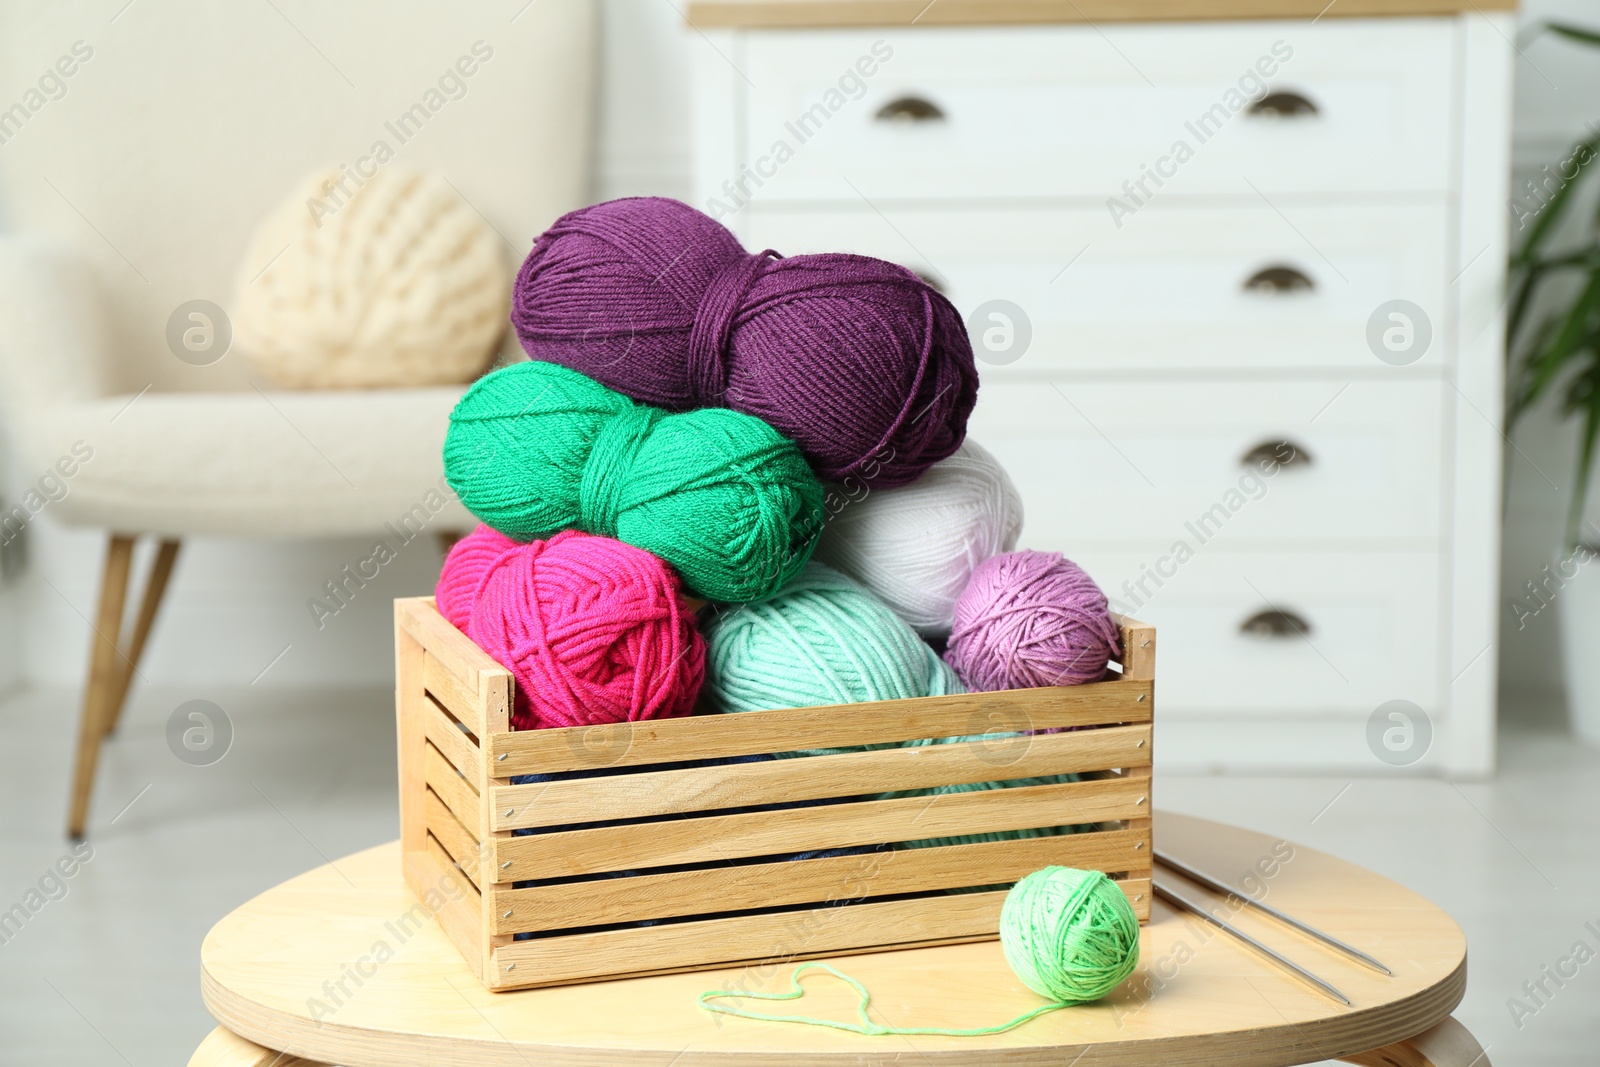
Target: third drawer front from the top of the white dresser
1103 465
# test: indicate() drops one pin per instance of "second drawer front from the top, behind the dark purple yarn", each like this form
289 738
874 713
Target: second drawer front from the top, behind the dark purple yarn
1180 287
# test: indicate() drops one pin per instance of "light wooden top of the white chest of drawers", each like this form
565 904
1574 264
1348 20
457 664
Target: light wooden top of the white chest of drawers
833 14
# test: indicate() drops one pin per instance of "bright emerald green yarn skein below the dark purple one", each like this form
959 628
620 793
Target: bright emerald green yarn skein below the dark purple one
535 449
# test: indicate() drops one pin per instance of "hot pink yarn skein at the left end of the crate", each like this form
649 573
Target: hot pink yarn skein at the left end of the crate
593 629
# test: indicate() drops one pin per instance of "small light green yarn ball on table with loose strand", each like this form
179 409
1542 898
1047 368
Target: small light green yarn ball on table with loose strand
1070 935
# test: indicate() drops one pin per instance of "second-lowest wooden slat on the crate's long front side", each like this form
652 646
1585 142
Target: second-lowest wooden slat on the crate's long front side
804 882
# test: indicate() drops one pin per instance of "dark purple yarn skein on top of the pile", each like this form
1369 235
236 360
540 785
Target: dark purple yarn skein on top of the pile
860 362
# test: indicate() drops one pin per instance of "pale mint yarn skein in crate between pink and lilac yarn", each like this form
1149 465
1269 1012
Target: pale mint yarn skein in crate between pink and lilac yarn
820 641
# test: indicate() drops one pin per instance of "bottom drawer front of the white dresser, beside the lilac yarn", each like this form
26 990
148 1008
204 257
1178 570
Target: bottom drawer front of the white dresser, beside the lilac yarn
1354 629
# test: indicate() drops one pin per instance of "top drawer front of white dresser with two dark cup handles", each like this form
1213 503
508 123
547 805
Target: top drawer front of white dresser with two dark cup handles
1079 111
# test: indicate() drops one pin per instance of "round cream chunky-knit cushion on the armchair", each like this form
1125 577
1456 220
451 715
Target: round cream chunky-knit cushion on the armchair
396 284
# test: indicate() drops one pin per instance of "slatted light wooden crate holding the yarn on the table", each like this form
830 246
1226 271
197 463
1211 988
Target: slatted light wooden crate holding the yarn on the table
460 809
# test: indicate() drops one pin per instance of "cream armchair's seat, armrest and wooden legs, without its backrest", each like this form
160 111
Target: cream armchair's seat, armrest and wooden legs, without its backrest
167 466
